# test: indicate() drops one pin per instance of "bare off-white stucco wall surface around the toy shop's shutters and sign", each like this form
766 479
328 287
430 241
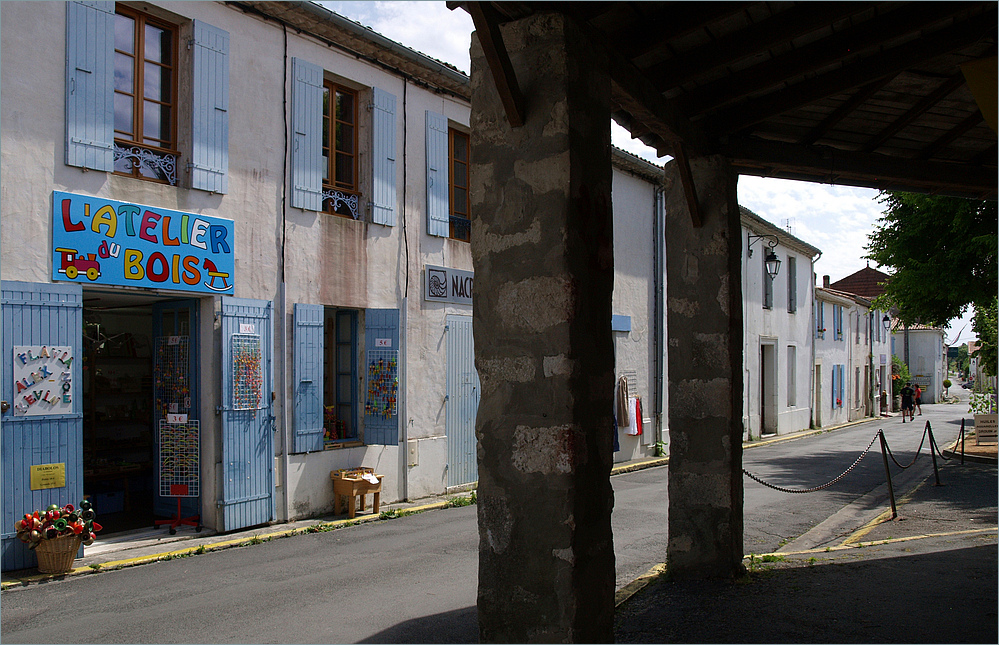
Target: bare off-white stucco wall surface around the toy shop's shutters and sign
287 255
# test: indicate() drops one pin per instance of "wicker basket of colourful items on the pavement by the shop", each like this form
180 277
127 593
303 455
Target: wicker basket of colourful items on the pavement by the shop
56 534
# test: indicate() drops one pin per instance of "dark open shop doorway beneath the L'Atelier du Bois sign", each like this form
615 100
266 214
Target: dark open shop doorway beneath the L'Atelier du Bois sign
132 366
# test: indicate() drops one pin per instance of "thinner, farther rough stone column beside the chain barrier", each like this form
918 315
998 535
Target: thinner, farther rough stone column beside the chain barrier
704 324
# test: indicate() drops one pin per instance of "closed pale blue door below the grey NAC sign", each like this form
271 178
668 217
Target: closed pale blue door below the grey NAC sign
462 402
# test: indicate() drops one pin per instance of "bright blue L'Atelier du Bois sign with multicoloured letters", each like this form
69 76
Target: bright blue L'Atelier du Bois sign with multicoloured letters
103 241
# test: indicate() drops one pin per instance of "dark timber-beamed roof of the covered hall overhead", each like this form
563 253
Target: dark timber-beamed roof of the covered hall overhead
871 94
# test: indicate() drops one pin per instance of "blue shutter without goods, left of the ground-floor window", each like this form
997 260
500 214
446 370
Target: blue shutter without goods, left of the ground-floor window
309 362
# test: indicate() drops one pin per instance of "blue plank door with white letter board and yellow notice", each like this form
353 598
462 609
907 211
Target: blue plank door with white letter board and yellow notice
39 314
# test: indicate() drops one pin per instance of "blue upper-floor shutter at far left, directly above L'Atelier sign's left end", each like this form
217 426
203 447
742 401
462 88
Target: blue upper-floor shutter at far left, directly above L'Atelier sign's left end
89 85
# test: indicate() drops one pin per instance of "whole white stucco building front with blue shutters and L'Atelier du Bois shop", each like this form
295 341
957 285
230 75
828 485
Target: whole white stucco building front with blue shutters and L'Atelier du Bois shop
250 224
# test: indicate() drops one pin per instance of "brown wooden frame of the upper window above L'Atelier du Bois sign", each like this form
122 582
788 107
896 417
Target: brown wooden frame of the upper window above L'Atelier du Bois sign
136 139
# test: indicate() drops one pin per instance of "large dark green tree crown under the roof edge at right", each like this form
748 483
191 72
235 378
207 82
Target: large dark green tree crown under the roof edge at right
941 253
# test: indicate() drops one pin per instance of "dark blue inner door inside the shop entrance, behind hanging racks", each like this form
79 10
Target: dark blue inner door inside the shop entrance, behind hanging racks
175 381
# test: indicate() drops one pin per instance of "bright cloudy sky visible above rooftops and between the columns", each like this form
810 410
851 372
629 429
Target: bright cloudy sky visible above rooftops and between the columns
835 219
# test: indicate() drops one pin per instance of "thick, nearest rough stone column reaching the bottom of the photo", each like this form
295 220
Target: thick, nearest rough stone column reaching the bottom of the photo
542 251
